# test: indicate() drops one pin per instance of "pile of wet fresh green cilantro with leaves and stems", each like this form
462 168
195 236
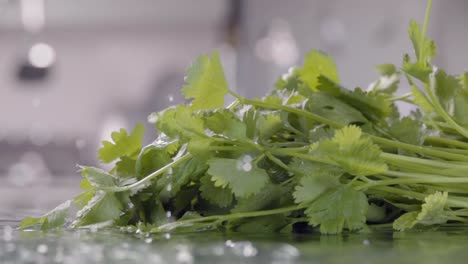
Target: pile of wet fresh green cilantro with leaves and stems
310 154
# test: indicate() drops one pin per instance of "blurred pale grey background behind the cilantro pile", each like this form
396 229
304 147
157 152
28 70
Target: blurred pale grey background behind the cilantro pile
72 71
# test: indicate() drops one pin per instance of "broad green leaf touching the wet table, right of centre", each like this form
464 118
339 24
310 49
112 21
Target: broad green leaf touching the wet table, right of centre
338 209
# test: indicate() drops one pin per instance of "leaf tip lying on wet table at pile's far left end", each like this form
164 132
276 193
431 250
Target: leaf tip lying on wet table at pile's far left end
53 219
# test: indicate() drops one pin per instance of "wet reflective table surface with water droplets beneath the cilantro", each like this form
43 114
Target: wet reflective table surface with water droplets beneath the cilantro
109 246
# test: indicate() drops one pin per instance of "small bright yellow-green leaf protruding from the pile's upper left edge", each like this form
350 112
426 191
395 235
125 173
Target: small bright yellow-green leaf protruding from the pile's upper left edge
122 145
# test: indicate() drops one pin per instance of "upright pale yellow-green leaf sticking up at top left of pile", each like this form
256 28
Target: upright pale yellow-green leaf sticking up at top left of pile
206 83
